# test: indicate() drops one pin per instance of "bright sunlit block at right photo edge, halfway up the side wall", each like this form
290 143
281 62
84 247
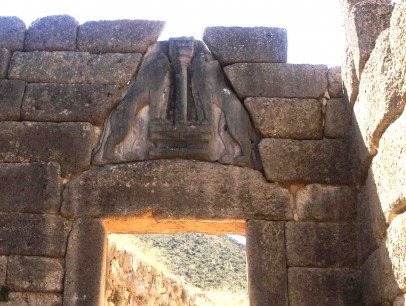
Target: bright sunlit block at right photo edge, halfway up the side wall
388 169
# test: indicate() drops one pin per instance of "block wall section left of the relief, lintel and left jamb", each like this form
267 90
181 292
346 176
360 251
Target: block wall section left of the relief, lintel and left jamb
58 82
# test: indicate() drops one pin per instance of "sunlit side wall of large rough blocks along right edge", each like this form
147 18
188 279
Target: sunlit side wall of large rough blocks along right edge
374 76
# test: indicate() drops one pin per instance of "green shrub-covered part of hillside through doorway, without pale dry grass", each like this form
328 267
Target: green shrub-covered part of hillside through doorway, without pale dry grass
205 261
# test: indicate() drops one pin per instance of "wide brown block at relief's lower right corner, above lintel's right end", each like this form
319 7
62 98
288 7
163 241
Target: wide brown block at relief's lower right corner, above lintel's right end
305 161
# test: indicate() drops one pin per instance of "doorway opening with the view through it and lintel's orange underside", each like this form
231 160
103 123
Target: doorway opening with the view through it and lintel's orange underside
182 267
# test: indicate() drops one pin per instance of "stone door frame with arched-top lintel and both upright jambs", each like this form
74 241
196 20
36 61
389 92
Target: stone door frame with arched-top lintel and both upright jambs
170 197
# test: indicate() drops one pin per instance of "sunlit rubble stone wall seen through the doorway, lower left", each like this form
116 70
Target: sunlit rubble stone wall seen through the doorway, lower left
132 280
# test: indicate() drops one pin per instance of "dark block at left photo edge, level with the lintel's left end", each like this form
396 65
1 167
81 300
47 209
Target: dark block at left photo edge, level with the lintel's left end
34 188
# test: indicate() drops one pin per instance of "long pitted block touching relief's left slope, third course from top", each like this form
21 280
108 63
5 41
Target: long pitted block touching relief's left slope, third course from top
69 102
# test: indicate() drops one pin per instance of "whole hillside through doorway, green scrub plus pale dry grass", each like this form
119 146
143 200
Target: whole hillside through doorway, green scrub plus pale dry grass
213 267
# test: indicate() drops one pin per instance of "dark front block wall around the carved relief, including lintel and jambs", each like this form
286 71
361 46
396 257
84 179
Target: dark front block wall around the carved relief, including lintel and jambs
60 80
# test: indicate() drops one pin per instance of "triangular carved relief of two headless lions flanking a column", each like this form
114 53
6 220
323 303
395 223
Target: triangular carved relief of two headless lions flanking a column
179 106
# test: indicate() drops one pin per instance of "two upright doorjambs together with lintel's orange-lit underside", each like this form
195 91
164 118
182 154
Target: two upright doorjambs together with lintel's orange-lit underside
86 258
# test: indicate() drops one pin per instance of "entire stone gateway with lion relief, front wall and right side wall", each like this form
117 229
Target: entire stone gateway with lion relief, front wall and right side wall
104 129
